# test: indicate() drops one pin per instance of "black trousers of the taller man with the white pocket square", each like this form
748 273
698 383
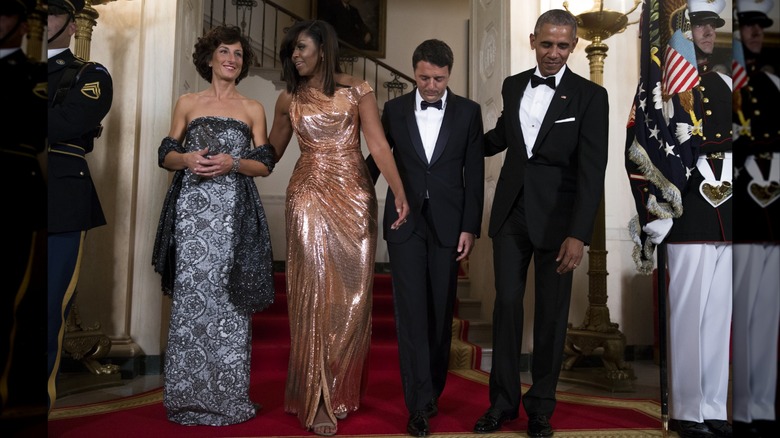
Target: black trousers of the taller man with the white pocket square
512 255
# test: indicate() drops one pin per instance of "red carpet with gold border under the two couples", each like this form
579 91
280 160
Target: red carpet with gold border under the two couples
382 413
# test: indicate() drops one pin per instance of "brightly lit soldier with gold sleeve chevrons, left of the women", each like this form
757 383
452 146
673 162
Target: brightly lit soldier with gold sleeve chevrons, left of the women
80 95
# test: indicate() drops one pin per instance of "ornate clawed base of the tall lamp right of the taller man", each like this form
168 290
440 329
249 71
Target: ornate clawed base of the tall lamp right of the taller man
616 375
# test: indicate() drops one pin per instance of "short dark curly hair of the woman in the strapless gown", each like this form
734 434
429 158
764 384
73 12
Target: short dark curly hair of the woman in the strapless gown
208 43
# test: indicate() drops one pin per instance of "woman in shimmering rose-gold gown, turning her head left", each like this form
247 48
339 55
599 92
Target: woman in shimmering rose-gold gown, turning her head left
331 222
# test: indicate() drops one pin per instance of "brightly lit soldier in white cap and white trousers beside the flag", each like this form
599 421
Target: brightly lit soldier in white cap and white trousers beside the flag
700 254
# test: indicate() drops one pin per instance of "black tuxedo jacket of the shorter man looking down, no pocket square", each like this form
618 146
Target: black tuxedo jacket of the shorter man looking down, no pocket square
453 179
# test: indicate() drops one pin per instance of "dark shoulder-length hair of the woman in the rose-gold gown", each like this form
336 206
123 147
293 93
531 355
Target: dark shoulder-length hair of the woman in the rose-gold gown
324 36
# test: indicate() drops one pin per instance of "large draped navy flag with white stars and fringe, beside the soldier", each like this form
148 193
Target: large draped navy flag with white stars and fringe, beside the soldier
664 127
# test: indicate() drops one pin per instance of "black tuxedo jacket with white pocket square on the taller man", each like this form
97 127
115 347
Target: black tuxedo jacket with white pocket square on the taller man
563 182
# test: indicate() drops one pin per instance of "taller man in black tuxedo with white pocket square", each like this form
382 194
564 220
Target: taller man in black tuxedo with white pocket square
554 129
